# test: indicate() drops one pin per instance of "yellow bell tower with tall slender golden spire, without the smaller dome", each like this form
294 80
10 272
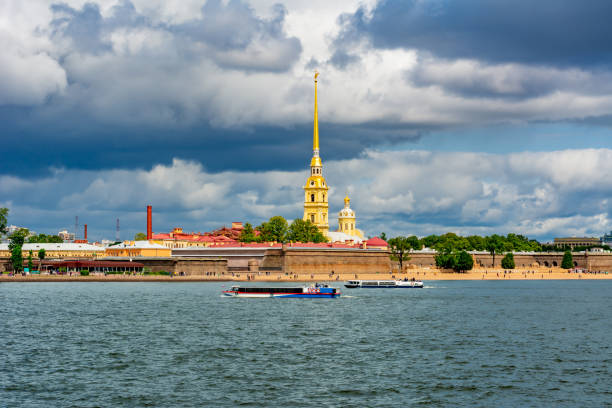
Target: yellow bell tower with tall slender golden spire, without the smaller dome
315 191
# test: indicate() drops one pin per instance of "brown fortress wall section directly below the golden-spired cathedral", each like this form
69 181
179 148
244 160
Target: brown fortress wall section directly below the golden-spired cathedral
337 261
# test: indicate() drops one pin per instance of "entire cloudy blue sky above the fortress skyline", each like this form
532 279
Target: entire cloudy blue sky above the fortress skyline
473 117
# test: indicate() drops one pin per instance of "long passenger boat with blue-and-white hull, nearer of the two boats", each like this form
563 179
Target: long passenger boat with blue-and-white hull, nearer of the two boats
315 291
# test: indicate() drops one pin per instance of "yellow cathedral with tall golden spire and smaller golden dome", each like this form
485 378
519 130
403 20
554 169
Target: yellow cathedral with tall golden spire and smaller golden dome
316 197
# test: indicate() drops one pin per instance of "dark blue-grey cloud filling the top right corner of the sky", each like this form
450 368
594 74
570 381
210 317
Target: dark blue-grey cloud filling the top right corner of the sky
546 32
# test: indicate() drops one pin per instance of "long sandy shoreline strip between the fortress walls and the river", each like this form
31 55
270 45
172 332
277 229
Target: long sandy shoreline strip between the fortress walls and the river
419 274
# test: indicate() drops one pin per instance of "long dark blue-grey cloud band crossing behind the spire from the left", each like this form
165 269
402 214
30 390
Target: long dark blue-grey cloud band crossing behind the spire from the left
37 147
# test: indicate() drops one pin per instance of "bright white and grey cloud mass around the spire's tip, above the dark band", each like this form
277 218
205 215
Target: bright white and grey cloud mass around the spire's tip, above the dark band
162 70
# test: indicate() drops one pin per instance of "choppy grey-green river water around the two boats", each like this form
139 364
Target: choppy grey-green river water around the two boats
181 345
